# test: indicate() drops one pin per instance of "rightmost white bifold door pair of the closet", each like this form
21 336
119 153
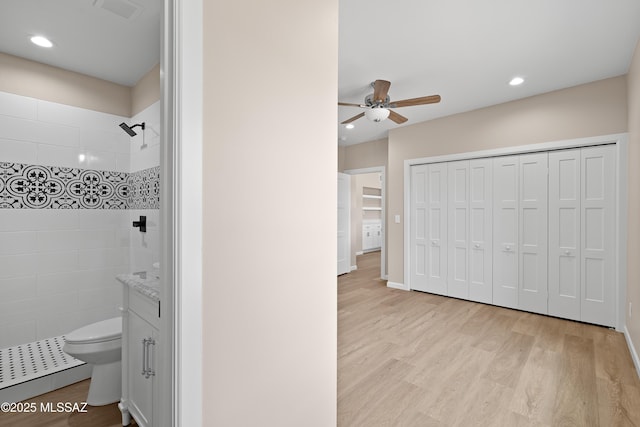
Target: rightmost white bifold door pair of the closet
582 234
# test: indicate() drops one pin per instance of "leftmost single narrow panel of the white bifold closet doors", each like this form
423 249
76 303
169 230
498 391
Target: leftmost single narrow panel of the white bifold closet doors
418 227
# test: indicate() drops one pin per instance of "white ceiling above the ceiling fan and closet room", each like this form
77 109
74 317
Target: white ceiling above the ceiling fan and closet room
468 50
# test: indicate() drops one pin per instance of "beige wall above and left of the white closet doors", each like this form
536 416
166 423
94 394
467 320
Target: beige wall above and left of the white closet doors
592 109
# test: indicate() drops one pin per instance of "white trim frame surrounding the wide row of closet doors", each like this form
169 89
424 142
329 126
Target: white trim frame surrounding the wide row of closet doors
621 142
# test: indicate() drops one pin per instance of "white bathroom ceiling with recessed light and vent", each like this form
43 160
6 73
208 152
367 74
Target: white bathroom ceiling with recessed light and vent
87 38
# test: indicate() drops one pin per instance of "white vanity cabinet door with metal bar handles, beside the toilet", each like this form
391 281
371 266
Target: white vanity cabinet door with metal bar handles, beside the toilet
140 387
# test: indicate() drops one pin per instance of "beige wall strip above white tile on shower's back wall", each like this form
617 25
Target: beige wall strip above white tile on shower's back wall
36 80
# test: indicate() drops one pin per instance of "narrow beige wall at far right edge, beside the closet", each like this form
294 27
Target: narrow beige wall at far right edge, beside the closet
633 227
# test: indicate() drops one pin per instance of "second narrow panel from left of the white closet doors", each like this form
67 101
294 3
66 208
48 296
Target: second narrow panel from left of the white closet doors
437 229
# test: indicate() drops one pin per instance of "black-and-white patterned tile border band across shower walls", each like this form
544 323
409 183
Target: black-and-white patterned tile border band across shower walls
50 187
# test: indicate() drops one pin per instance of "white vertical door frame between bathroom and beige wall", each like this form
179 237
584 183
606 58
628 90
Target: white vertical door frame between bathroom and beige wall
181 225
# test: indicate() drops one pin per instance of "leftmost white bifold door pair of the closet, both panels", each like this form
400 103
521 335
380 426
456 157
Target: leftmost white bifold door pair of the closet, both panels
429 228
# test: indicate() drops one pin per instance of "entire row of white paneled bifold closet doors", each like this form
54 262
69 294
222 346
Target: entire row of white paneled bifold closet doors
534 232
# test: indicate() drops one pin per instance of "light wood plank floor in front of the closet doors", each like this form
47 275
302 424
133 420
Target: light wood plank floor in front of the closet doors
415 359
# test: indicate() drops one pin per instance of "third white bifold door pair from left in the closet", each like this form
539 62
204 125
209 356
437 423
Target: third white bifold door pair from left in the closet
520 232
